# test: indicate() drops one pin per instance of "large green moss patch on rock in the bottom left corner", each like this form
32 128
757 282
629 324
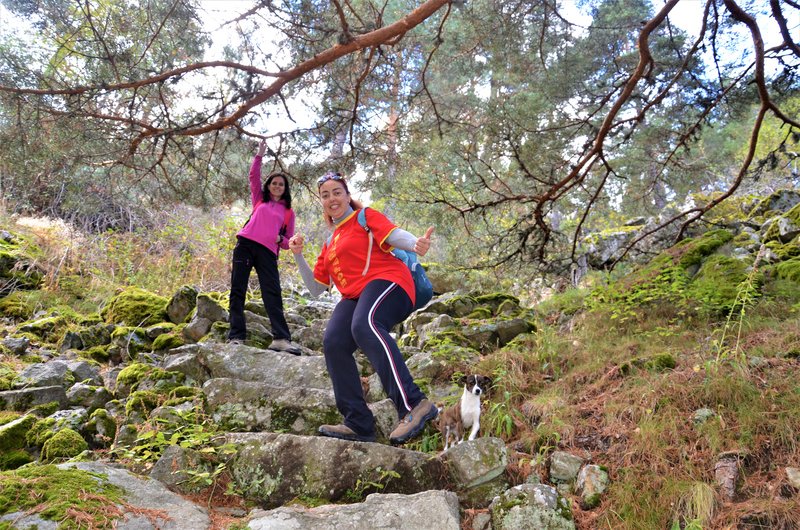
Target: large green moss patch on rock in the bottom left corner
73 498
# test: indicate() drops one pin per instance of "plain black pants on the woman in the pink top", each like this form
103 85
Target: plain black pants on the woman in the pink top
246 255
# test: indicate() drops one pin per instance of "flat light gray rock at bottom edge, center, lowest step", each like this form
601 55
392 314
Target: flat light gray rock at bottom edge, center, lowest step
429 510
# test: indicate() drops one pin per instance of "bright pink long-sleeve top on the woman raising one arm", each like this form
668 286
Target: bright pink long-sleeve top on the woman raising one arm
267 217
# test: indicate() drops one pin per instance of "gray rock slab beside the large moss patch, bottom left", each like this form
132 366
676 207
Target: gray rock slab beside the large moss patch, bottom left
140 495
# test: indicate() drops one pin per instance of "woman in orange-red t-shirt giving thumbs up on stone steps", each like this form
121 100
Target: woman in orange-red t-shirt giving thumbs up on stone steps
377 293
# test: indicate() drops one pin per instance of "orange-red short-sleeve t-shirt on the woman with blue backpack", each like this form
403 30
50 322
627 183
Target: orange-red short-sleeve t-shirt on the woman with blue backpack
344 258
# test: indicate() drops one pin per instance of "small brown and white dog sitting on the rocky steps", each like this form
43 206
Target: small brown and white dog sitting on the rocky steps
466 414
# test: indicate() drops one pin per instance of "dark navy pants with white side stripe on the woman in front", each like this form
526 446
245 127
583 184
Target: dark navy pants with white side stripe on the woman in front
365 323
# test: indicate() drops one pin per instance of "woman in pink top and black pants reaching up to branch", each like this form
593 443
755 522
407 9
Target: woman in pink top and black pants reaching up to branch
268 229
